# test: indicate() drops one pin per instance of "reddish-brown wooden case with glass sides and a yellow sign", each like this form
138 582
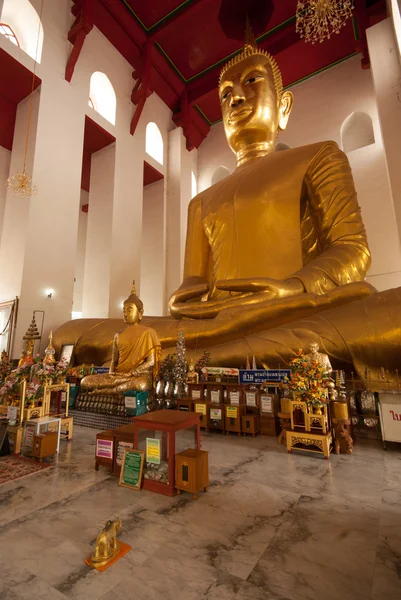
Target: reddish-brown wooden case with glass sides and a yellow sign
159 451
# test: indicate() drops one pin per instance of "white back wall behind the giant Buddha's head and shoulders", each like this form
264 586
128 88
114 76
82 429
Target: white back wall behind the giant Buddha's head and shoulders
321 105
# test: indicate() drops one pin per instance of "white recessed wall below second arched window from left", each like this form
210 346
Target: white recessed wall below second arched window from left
95 301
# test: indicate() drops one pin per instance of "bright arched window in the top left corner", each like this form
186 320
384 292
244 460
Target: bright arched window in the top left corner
23 21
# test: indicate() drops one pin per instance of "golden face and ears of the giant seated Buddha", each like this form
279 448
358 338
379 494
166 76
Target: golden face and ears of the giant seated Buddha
252 113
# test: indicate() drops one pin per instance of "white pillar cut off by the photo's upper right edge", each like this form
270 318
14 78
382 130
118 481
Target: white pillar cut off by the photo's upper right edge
386 72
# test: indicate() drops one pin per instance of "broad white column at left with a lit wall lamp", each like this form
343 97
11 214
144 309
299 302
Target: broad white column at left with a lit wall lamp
51 235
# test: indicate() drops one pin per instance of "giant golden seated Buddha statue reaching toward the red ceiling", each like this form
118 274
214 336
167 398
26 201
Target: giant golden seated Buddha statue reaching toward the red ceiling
276 253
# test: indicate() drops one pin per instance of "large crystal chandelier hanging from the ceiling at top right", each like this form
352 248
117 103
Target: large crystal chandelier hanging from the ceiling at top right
317 20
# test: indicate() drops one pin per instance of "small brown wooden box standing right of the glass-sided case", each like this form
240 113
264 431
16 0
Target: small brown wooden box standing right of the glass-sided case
192 472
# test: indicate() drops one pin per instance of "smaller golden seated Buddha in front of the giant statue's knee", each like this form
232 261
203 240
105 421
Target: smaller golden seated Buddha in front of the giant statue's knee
135 355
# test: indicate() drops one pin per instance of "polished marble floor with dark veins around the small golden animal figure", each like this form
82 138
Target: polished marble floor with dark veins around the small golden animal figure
273 525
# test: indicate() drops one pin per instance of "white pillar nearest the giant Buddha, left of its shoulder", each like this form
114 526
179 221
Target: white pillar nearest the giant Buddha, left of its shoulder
181 165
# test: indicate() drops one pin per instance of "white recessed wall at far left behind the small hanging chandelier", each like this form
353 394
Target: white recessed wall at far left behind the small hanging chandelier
17 209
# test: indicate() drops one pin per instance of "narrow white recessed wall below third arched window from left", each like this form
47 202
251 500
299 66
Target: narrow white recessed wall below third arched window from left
153 249
